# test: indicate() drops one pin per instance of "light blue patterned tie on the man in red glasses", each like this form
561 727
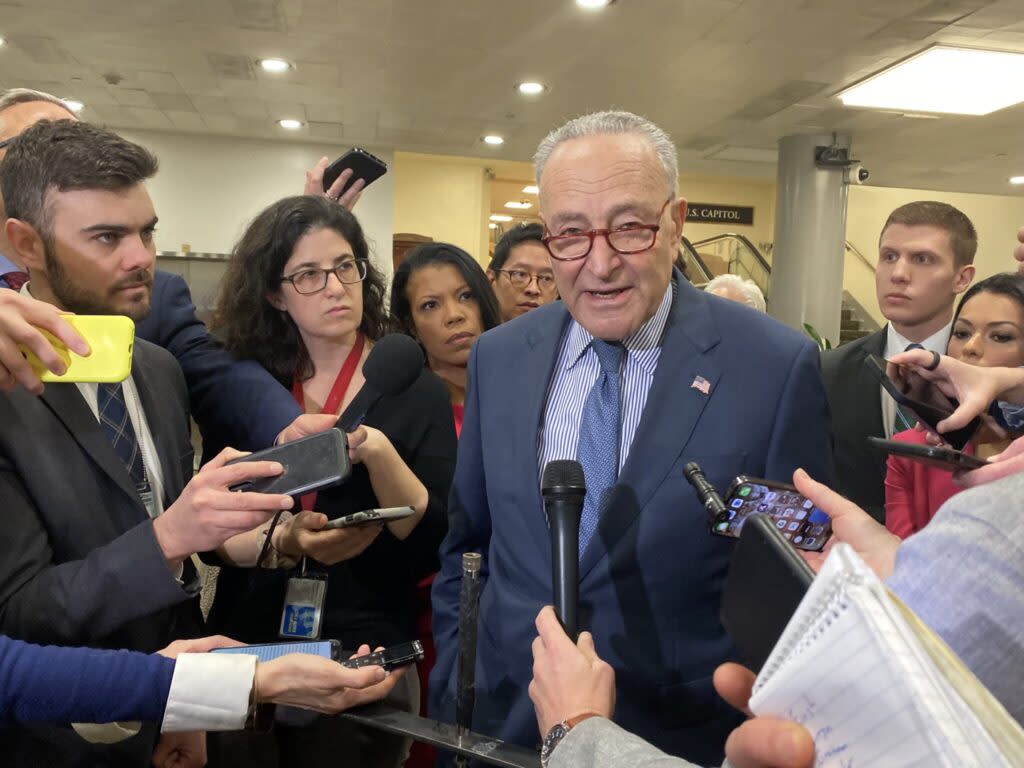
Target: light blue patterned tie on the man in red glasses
599 449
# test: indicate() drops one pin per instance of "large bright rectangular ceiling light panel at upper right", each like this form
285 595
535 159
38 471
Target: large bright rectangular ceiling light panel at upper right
956 81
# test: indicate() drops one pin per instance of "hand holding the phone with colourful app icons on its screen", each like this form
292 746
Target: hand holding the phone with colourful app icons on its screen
851 526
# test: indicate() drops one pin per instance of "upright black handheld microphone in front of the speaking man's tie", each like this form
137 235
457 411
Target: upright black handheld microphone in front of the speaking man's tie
564 488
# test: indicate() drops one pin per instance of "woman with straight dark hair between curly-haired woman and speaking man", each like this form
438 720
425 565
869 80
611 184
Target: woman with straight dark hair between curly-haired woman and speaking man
442 297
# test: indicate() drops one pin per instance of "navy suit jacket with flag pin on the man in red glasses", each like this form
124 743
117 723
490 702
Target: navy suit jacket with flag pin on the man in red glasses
652 579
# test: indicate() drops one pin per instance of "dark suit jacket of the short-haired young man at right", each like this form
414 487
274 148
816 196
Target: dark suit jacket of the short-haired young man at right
856 403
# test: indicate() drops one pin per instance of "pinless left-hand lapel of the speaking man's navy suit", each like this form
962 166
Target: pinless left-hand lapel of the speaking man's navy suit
542 345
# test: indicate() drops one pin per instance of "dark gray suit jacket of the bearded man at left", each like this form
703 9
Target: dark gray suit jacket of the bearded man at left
79 563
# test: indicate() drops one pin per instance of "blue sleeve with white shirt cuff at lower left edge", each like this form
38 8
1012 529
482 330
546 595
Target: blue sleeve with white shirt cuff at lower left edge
53 685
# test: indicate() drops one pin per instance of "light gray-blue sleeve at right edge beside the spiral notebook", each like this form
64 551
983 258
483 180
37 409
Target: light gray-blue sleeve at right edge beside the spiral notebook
964 576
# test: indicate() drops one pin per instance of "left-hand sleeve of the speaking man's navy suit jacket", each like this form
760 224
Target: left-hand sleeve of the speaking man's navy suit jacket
470 531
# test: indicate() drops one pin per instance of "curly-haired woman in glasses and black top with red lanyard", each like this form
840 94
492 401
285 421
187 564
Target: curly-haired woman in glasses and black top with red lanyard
303 298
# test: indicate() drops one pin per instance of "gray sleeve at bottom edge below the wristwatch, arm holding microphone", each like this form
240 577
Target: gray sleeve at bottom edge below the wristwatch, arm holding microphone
600 742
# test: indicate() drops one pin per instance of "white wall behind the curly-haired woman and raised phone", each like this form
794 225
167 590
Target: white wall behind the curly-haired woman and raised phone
209 188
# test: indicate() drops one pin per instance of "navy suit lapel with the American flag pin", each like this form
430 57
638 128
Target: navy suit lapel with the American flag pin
672 412
